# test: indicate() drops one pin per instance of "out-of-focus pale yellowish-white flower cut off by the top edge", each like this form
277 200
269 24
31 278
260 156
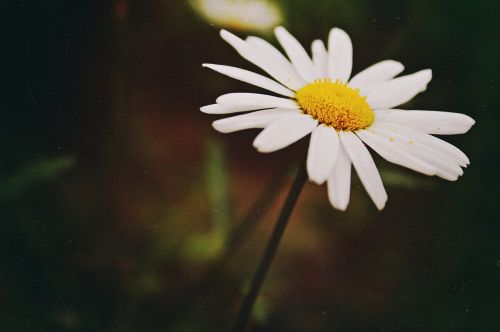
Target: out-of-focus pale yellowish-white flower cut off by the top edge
251 15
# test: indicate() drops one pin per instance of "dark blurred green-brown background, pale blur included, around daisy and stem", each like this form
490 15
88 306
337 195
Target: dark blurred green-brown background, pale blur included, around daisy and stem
121 209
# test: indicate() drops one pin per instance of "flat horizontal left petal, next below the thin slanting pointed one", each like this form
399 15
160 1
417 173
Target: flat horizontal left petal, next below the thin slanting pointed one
256 99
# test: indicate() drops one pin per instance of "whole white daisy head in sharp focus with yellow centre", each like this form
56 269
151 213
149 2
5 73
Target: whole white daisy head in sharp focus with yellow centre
344 115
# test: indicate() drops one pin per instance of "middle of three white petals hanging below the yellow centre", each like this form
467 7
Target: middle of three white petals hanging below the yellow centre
339 181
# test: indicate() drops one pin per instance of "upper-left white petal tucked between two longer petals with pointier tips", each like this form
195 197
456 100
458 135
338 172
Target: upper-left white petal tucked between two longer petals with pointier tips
294 79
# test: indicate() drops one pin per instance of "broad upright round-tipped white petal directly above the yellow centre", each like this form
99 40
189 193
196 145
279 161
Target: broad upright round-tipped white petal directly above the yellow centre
340 55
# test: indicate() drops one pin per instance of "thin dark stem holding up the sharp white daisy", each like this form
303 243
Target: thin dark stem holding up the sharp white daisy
271 248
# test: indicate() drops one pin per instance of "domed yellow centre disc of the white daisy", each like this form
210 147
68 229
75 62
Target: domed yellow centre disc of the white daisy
335 104
